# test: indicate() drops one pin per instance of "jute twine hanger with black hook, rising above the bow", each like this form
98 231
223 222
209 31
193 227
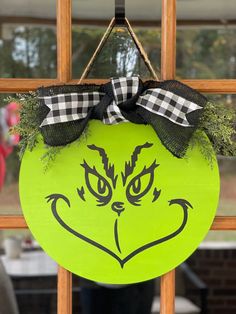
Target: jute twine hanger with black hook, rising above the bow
119 20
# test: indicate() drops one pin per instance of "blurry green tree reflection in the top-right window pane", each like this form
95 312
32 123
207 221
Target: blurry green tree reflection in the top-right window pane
206 53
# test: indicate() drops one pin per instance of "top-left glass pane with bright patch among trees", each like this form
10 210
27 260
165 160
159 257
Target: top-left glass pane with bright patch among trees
28 39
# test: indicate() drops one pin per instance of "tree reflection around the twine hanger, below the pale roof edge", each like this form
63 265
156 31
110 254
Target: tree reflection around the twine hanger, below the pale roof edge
119 56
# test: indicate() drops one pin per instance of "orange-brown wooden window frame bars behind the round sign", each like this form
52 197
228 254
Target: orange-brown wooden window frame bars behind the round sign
64 76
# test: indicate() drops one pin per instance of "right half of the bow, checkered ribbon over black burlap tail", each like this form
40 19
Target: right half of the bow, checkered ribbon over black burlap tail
173 110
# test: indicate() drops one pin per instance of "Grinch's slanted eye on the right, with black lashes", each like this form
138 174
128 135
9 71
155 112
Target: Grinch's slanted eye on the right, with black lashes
140 184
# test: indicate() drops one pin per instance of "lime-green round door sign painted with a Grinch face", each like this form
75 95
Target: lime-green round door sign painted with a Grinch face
116 206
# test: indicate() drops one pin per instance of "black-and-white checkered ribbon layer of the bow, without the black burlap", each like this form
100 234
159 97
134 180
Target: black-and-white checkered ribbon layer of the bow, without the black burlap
75 106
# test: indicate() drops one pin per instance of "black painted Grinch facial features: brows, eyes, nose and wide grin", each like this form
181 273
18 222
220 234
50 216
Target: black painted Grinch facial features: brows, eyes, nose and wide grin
102 186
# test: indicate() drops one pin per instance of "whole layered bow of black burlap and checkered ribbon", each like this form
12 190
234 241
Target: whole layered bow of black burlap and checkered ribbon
165 105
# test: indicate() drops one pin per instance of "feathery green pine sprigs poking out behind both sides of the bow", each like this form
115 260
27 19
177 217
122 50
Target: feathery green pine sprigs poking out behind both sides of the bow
218 122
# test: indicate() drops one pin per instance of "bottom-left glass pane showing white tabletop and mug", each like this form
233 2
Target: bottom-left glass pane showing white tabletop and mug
34 288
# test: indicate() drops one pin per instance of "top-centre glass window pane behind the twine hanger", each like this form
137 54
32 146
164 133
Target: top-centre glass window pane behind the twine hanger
115 59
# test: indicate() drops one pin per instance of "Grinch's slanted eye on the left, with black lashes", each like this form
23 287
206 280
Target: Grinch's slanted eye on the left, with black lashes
97 185
